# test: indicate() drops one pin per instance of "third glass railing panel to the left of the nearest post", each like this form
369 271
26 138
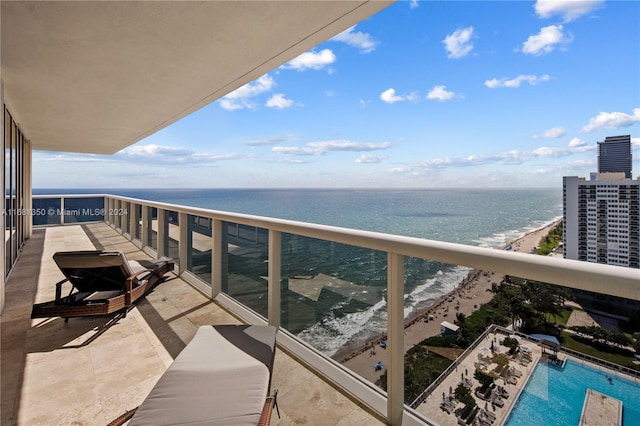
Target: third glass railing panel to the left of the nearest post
199 247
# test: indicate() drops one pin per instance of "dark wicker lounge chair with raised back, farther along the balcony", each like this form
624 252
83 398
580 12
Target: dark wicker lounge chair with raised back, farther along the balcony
104 282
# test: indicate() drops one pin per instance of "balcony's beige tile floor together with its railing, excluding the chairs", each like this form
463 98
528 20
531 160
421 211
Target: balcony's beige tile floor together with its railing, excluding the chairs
92 370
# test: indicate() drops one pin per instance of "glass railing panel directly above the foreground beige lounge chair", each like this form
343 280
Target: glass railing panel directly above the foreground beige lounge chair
245 265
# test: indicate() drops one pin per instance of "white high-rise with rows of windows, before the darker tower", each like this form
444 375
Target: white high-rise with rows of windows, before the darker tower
601 219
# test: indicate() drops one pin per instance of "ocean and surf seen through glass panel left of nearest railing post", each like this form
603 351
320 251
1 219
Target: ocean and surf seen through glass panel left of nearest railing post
333 295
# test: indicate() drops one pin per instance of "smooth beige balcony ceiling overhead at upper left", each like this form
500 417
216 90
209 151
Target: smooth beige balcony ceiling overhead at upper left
96 77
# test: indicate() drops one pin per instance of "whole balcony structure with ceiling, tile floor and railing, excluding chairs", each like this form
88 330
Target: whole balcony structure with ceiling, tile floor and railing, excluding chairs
97 77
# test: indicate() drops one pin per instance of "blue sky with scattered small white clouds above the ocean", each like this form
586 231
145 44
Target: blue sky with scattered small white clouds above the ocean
424 94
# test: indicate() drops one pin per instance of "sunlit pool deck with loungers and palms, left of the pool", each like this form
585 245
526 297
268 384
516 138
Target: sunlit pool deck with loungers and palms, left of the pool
480 358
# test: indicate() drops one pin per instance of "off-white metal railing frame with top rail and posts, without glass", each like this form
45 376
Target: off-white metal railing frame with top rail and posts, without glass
122 214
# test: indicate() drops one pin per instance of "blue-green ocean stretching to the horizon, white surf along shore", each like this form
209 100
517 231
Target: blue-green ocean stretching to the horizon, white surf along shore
479 217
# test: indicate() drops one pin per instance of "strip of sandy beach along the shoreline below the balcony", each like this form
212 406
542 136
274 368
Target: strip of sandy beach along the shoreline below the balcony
468 297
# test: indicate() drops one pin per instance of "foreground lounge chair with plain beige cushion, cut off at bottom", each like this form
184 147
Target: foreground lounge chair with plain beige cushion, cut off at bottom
222 377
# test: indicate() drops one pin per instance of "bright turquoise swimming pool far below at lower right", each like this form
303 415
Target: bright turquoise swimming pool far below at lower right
555 396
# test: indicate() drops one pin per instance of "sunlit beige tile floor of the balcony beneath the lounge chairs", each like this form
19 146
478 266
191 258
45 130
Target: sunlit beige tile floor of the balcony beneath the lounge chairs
90 370
